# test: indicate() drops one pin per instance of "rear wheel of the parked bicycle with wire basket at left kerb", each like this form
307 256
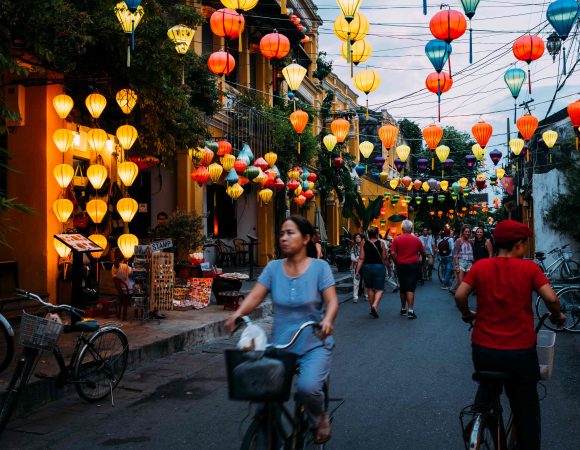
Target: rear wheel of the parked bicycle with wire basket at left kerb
101 364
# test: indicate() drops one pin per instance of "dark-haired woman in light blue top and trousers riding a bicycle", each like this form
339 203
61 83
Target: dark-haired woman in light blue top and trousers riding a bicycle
302 289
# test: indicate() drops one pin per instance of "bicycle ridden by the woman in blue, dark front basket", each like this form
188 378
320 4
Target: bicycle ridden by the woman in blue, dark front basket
267 379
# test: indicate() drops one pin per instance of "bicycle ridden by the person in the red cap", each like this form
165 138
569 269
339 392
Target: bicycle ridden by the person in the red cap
486 428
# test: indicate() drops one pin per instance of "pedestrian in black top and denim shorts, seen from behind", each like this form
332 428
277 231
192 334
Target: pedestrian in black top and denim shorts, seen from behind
372 264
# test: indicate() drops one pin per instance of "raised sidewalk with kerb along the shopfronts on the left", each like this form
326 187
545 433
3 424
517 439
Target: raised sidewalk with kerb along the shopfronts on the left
148 341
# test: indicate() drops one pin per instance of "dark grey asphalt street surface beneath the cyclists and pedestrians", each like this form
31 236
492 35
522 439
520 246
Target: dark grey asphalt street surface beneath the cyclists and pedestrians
403 382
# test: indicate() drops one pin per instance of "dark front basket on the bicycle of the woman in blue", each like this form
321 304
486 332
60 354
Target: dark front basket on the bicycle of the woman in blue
260 376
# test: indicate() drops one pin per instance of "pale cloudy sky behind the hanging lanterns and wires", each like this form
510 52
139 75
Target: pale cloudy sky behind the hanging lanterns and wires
398 34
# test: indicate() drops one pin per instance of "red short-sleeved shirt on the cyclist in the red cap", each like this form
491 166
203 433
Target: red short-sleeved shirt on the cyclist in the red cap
504 286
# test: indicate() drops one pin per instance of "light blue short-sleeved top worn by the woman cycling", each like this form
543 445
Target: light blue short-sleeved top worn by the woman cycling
297 300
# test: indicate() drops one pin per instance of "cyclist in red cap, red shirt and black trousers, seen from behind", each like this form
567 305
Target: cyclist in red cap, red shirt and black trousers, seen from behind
503 336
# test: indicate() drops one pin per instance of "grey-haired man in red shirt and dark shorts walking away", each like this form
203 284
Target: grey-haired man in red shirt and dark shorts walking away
405 251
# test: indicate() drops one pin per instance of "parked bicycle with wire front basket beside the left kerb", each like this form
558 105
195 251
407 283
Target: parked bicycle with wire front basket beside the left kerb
96 366
